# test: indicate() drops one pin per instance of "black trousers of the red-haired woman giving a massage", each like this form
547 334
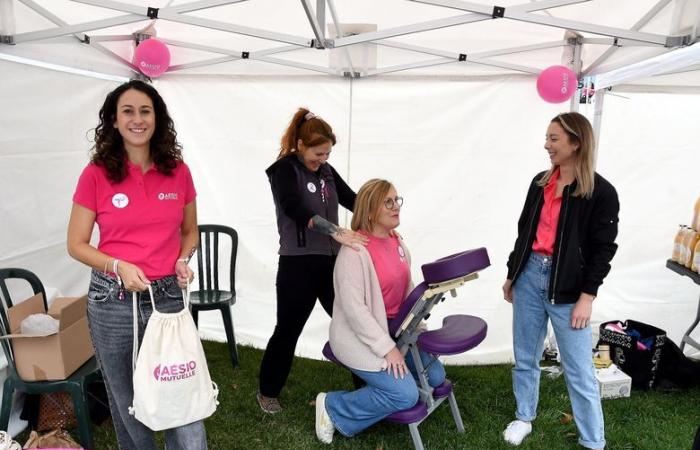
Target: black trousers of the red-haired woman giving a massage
300 281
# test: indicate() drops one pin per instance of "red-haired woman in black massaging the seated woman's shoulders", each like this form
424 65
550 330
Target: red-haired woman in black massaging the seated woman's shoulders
307 191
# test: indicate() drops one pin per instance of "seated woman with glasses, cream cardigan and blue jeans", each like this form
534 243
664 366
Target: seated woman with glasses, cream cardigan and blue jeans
370 285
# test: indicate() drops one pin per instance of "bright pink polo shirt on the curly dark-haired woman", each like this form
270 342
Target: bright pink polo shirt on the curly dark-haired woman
140 217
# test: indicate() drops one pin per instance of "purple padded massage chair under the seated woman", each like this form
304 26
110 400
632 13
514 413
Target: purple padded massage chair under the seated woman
458 334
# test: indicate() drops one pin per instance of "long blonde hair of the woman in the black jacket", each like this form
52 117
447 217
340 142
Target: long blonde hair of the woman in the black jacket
579 131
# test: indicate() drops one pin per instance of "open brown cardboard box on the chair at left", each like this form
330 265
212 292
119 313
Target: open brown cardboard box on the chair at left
56 356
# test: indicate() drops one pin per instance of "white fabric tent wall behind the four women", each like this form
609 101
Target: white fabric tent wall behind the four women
461 153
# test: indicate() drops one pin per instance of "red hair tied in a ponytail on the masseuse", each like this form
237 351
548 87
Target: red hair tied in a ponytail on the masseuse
311 129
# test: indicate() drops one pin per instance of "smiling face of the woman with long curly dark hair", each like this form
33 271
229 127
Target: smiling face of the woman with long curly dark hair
135 119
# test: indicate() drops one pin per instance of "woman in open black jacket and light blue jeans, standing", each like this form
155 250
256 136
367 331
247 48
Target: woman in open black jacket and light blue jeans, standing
566 240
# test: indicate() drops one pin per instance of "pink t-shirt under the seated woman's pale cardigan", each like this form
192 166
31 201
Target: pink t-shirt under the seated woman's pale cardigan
392 271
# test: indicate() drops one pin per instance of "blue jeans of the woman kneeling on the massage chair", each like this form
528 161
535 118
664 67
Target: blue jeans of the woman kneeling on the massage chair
354 411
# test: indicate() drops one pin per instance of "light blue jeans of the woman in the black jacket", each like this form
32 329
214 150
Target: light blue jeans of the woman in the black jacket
531 308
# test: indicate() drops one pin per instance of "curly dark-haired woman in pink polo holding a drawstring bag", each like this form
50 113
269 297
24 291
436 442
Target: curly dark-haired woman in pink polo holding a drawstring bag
140 194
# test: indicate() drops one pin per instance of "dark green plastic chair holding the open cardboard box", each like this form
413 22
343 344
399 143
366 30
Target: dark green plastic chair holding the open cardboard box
76 385
